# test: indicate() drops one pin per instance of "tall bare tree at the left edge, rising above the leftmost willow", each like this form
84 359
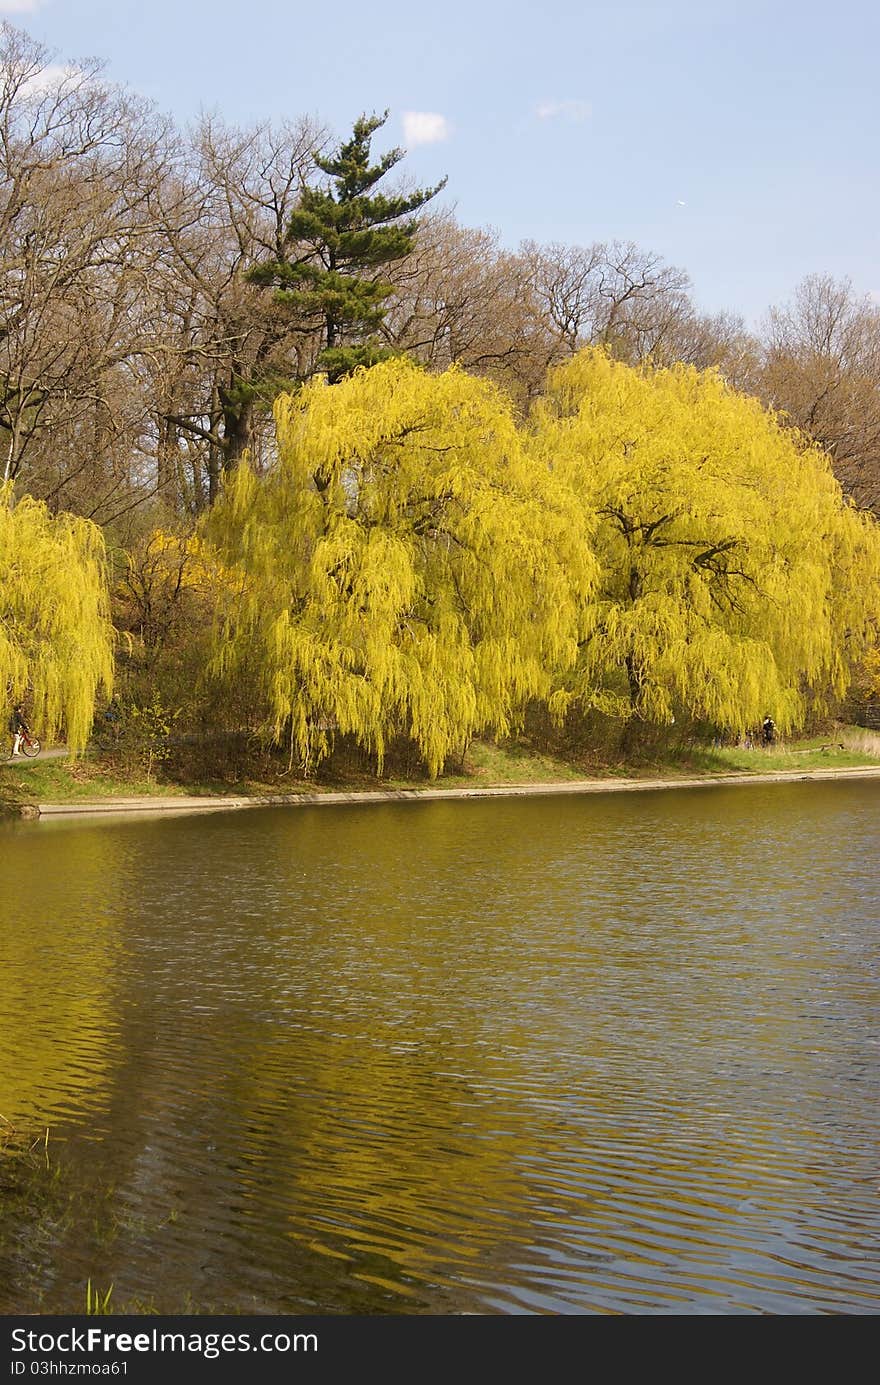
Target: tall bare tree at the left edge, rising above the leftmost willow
78 166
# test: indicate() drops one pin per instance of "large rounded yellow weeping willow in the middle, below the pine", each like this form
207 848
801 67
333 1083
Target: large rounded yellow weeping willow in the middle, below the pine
407 567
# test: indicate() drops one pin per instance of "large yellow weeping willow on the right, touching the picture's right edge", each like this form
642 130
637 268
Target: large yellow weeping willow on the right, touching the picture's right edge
735 578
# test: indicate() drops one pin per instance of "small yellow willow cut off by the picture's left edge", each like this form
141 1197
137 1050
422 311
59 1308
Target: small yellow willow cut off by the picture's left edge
56 635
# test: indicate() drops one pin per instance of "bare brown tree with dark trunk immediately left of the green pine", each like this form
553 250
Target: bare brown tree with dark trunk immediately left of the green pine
222 344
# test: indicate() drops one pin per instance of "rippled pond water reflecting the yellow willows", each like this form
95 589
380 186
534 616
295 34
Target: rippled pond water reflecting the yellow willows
579 1055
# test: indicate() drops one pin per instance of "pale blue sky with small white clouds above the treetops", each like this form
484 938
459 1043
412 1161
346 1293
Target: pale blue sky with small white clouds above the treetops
738 139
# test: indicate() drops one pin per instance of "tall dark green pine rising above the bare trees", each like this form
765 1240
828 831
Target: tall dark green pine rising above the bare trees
340 238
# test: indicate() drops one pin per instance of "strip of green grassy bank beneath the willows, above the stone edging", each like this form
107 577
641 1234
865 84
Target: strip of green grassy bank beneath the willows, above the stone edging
96 778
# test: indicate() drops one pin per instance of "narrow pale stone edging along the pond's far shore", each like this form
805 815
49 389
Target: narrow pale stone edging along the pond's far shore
189 804
